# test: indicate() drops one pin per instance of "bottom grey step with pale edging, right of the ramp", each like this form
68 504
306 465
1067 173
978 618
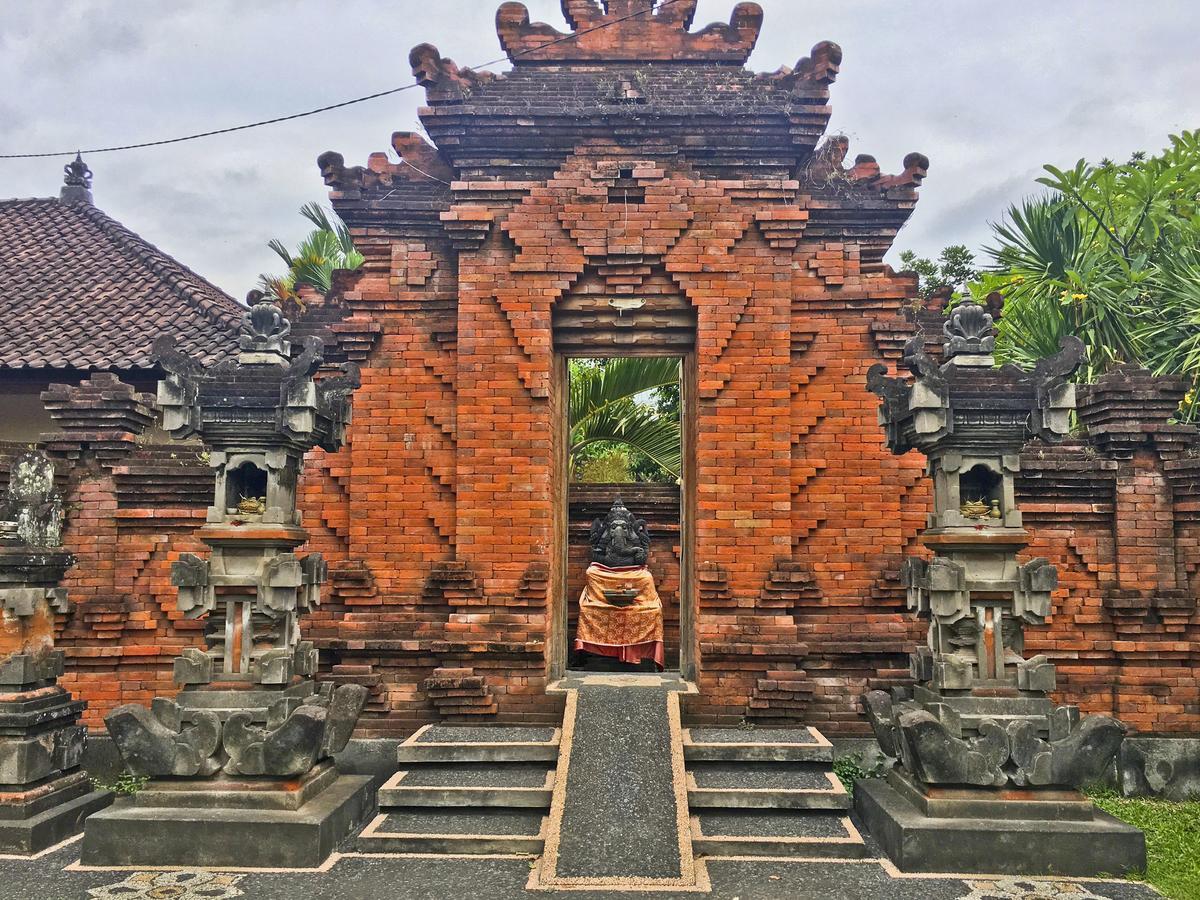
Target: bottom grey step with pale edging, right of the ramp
801 833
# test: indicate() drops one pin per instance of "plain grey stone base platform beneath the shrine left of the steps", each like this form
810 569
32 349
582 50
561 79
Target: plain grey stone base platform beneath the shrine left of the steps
133 833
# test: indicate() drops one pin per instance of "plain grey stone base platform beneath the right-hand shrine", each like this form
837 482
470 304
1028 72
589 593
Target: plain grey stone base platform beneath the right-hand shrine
989 844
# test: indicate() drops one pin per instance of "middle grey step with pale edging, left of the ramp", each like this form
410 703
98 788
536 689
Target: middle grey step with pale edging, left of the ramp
470 785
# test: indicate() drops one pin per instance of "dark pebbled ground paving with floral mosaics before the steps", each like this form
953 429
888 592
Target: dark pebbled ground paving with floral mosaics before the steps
358 878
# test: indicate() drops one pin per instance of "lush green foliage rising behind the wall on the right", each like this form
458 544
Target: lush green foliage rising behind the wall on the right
1111 255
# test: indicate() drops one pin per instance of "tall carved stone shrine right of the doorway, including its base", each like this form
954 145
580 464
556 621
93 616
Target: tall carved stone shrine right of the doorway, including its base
989 765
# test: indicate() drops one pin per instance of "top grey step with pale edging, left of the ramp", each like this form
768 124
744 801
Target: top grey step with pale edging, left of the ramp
443 743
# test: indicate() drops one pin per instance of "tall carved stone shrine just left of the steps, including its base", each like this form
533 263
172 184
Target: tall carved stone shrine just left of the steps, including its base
248 745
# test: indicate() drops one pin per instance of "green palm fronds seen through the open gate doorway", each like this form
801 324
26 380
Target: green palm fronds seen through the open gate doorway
614 412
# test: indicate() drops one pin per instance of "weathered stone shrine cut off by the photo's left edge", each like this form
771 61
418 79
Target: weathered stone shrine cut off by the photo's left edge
44 794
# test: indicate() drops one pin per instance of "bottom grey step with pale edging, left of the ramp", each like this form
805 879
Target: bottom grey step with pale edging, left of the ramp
459 832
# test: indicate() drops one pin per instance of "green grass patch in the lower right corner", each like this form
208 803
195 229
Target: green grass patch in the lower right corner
1173 841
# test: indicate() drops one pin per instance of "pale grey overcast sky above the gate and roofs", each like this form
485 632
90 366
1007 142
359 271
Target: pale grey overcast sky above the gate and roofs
988 91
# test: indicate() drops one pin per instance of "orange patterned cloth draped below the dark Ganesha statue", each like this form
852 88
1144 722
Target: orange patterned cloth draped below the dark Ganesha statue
629 633
